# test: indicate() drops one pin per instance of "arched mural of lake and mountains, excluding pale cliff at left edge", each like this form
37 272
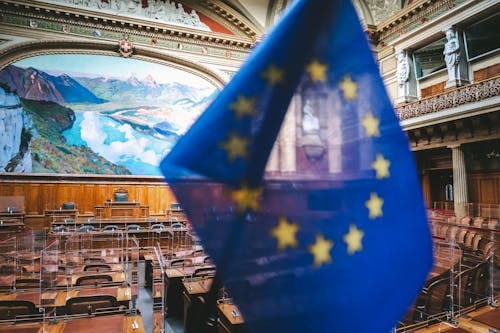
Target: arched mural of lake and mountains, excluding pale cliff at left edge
102 115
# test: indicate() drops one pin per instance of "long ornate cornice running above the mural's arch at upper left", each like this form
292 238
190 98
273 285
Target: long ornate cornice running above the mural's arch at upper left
87 23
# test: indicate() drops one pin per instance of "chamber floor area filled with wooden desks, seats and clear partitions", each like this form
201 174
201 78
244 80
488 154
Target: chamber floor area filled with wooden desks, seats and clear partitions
153 277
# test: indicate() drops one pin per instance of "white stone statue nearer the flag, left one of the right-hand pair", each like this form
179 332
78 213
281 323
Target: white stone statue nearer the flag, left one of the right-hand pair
407 82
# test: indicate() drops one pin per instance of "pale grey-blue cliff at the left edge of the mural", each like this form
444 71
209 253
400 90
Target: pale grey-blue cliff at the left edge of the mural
15 155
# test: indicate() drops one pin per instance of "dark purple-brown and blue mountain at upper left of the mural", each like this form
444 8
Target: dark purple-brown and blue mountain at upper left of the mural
33 84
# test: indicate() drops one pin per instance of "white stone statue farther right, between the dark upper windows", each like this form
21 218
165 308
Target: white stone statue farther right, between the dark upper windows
456 62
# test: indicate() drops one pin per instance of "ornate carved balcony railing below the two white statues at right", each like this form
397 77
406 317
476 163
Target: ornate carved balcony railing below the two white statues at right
450 99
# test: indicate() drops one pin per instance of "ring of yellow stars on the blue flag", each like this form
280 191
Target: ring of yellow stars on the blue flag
247 199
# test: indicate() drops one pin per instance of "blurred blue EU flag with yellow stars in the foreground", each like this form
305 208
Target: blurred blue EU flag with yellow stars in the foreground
337 243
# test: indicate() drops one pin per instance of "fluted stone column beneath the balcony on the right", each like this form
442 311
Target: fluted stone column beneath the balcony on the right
459 182
